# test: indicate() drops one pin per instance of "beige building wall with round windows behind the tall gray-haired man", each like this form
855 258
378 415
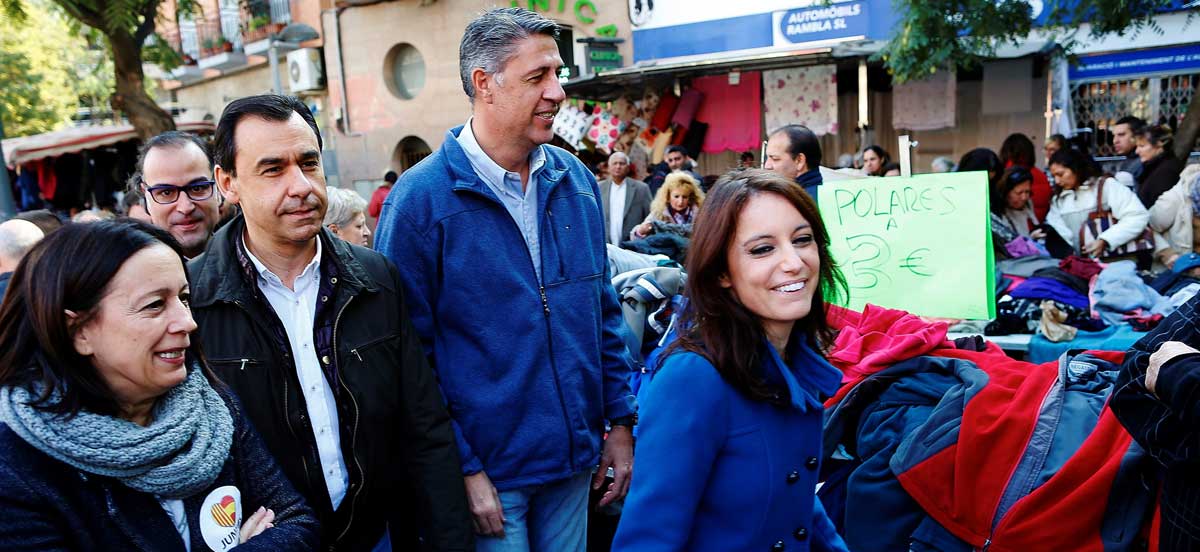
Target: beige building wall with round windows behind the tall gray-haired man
393 73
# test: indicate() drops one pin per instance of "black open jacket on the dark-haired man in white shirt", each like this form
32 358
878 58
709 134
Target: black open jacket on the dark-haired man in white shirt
395 433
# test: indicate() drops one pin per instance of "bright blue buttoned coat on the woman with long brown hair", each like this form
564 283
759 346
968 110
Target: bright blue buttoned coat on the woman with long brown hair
721 472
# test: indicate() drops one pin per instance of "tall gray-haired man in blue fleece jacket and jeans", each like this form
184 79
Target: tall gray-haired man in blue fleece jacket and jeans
501 244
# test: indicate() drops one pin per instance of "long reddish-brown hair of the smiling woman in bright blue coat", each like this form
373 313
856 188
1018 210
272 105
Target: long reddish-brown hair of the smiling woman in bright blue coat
716 325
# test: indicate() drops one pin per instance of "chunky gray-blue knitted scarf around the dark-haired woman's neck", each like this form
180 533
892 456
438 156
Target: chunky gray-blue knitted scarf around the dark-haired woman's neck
178 455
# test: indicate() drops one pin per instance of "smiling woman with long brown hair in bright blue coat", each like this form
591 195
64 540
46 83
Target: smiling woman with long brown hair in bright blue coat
730 440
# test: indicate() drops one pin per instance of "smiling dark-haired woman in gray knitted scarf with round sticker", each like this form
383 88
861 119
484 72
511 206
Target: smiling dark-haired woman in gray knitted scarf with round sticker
117 436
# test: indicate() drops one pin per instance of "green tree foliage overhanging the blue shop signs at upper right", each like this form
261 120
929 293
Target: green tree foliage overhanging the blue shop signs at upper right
940 34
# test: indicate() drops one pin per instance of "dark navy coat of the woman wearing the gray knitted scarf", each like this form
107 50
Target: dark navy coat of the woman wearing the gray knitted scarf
50 506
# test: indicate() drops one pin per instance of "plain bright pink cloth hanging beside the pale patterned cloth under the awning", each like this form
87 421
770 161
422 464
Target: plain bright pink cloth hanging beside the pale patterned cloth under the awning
734 113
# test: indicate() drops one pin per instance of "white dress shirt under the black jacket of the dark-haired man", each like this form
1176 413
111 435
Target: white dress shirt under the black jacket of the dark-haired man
297 310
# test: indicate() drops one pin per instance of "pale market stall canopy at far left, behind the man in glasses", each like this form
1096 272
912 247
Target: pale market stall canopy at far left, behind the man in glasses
71 141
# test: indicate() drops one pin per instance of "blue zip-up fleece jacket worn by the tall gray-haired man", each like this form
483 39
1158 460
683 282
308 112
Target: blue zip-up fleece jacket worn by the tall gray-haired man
530 370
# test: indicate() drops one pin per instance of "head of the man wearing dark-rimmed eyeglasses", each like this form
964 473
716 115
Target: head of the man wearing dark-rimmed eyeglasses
176 177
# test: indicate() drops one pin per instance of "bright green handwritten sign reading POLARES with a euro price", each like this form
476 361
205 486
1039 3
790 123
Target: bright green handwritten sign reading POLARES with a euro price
921 244
